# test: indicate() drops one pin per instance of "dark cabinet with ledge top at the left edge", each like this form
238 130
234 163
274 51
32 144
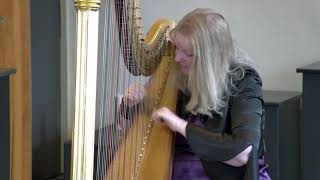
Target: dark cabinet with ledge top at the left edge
5 123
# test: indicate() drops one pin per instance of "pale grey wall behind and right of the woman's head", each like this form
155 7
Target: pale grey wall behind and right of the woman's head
279 35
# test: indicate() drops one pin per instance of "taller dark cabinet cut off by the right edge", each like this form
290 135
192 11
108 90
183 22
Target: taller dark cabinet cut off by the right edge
310 121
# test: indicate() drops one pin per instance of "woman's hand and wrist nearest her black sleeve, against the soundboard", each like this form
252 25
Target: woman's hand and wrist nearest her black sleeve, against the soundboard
174 122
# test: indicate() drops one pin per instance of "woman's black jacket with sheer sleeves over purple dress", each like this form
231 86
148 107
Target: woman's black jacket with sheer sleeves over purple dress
224 136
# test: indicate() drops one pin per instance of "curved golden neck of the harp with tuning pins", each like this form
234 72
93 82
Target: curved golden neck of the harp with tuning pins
146 50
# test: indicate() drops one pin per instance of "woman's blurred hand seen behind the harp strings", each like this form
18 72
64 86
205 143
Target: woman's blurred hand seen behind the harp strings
134 94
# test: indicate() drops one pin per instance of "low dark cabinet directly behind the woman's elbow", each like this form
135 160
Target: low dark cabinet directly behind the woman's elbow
282 134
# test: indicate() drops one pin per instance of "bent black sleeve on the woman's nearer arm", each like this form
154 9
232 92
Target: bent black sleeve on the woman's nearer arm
246 113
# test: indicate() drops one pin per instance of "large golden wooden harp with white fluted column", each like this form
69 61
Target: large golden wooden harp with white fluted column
127 149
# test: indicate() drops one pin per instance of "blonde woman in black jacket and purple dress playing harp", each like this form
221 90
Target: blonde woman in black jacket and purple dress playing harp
221 117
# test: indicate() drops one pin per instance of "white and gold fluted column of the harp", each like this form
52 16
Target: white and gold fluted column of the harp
85 96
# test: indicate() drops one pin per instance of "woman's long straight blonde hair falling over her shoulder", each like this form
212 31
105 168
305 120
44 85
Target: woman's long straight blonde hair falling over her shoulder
218 61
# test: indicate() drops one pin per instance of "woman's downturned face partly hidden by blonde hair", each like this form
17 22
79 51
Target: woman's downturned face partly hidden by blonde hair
184 53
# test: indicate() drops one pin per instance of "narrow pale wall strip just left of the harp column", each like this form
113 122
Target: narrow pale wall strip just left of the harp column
67 70
